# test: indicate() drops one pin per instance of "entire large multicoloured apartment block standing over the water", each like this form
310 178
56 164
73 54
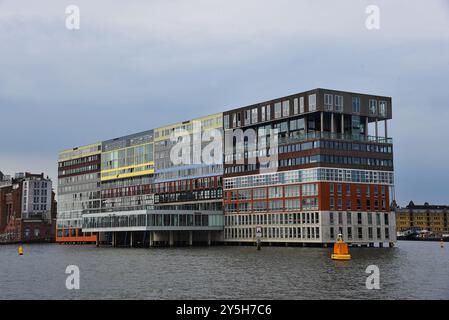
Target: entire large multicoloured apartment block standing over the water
301 169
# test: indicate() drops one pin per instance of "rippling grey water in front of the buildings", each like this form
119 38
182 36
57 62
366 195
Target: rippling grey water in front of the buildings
412 270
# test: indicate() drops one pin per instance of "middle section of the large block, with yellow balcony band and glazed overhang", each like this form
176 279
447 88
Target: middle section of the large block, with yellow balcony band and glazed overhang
148 200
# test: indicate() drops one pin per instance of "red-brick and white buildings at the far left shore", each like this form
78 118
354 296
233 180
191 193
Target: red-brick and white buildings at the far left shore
27 208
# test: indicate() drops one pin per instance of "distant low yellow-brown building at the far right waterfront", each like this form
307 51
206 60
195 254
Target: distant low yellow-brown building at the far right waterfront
433 218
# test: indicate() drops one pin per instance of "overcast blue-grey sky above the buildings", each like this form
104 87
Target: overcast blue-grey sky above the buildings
137 65
